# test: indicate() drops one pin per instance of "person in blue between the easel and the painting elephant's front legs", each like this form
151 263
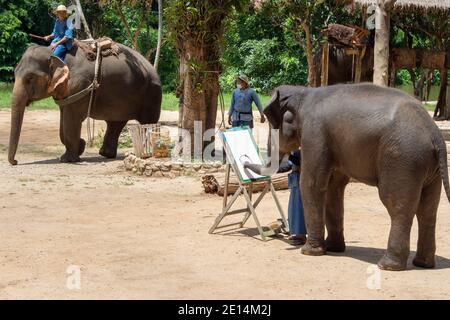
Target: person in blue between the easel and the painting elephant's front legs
296 216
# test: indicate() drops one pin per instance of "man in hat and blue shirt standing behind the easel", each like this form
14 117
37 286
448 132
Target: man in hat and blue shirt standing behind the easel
240 113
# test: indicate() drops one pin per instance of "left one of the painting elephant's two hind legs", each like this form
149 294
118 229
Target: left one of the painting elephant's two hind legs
400 194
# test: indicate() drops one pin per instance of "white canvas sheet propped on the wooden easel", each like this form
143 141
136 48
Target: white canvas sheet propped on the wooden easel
241 145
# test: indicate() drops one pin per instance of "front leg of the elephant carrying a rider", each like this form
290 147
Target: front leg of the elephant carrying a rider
71 128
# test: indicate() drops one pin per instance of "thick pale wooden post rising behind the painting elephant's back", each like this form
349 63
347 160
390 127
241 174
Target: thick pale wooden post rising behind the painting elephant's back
382 38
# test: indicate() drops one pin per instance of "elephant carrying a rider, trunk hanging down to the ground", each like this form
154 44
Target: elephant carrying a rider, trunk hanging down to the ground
129 89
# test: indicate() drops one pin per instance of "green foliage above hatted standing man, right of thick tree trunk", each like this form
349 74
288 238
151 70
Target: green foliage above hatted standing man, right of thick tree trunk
263 50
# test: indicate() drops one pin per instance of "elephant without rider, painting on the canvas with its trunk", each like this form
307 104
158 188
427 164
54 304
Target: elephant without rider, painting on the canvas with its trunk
379 136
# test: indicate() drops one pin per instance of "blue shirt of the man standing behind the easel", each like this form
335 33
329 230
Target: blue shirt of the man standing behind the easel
241 104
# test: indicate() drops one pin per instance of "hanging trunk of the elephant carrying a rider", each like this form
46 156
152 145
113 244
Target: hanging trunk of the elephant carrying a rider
18 104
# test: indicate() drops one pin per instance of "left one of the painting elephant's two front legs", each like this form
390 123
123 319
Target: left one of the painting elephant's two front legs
314 182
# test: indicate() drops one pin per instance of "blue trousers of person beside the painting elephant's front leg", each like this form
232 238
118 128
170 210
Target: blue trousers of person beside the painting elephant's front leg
296 216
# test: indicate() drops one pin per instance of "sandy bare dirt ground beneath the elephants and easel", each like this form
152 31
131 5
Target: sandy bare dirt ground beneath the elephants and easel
146 238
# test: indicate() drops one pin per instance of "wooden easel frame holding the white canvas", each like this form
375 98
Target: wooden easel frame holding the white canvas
251 206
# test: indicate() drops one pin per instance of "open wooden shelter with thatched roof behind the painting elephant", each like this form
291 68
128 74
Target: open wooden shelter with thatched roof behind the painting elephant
387 61
